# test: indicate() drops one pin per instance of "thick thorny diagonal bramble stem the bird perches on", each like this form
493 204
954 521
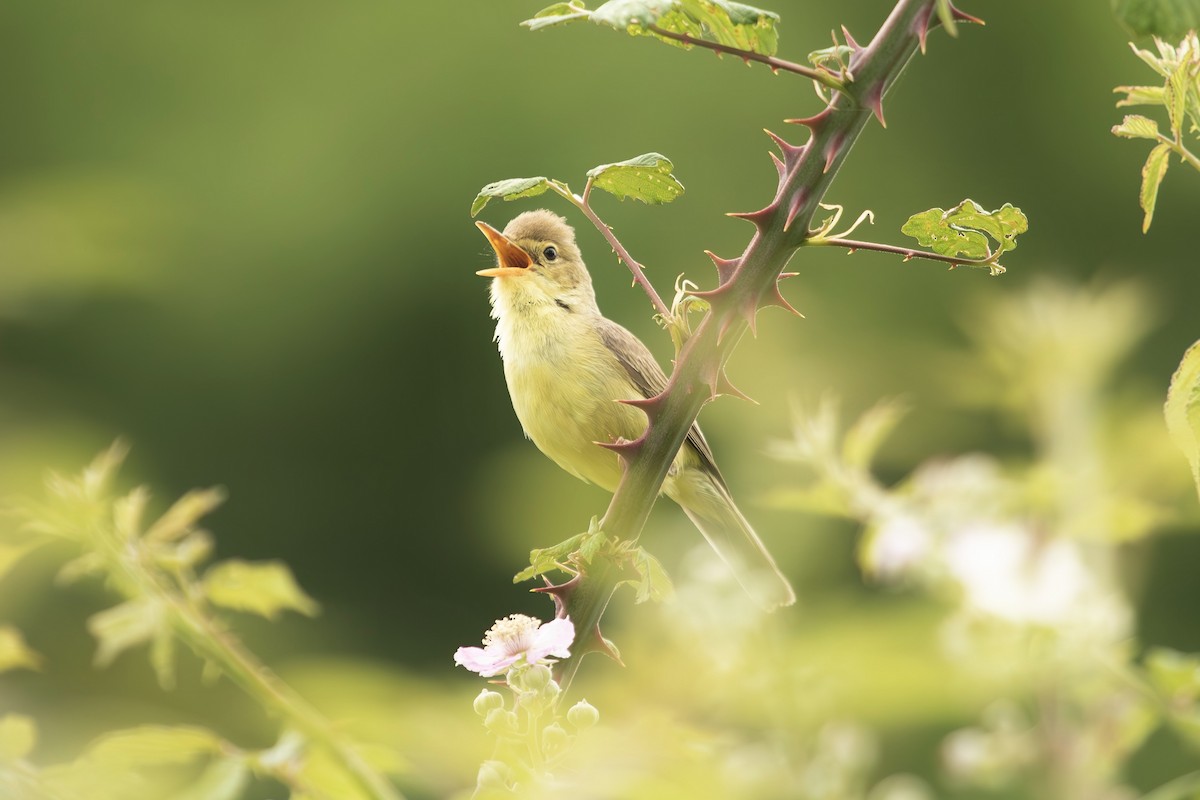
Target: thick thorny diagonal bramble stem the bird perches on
781 230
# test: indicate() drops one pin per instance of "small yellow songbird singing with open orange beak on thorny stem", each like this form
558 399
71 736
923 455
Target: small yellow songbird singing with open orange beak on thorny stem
567 368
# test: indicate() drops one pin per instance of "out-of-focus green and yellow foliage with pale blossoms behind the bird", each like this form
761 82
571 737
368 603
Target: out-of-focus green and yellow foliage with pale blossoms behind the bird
239 236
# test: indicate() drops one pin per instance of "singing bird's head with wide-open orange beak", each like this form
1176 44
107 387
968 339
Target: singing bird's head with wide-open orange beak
537 262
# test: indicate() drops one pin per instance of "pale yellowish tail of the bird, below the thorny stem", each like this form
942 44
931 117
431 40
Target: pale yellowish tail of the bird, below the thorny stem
707 502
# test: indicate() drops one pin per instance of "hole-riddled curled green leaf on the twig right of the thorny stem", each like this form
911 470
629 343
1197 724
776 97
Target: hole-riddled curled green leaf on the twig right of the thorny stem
964 230
